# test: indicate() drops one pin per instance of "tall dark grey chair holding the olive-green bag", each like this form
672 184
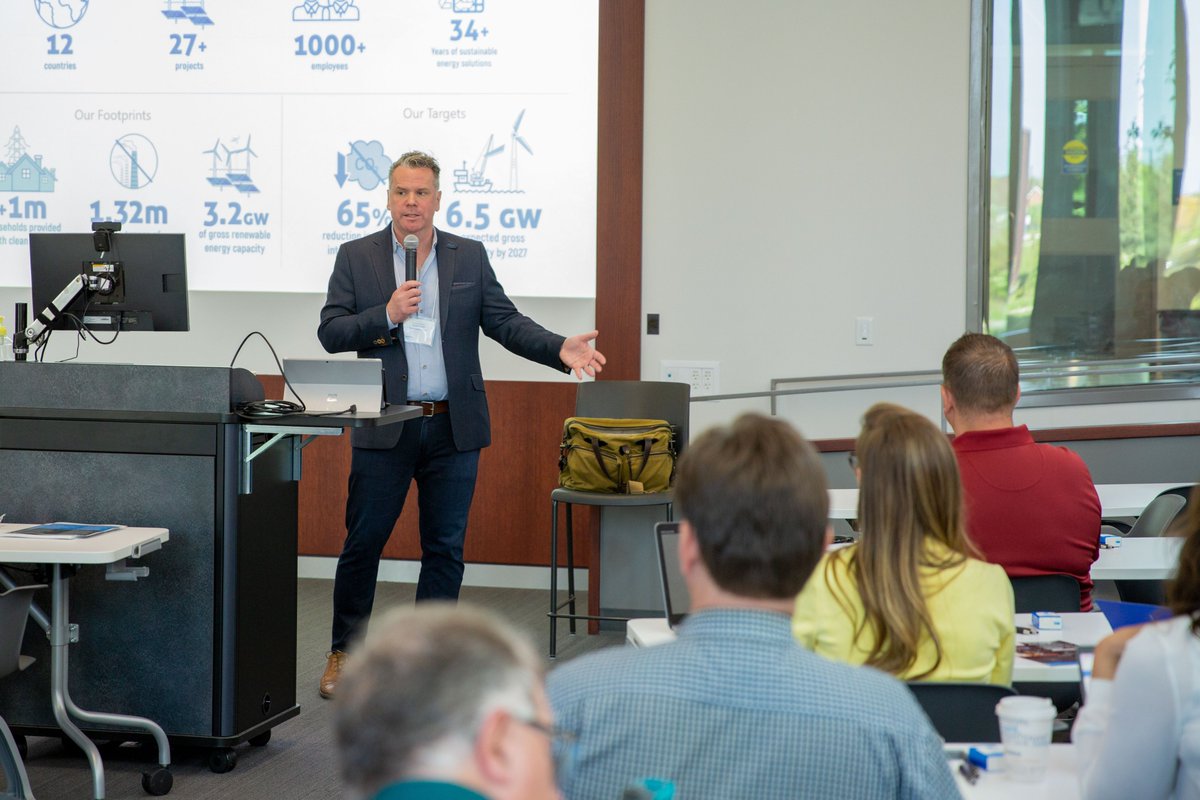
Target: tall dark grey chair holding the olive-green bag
641 400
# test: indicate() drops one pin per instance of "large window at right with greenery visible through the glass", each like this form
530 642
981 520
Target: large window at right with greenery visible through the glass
1090 228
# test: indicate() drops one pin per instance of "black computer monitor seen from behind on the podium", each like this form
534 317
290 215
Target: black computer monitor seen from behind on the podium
151 292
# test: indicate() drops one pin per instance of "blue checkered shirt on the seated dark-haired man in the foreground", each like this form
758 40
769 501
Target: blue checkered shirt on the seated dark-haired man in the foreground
735 708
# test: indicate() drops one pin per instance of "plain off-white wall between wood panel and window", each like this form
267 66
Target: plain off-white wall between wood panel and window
806 165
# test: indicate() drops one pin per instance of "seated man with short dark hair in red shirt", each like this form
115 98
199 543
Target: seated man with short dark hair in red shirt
1030 508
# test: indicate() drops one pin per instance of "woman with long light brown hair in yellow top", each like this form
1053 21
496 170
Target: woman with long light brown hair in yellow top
910 599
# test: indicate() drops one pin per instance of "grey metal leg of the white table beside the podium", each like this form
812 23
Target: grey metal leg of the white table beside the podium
65 708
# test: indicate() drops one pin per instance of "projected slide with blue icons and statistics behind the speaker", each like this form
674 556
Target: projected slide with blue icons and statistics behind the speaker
265 131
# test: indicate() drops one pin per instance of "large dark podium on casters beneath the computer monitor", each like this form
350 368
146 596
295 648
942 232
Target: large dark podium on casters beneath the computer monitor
207 645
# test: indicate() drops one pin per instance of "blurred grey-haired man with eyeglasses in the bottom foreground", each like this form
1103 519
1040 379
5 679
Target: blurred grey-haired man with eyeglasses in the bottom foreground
446 703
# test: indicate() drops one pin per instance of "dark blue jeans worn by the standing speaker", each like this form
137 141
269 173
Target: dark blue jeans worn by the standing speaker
380 480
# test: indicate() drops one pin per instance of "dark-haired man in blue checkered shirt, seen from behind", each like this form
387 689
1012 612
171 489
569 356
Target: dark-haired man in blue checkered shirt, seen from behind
735 708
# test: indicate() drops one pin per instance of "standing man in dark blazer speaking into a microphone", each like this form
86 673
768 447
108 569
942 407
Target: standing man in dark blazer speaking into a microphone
427 333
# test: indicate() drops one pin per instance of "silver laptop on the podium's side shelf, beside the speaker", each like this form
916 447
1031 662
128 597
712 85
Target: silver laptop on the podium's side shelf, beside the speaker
335 386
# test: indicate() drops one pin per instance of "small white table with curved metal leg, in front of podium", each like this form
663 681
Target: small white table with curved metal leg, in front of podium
110 549
